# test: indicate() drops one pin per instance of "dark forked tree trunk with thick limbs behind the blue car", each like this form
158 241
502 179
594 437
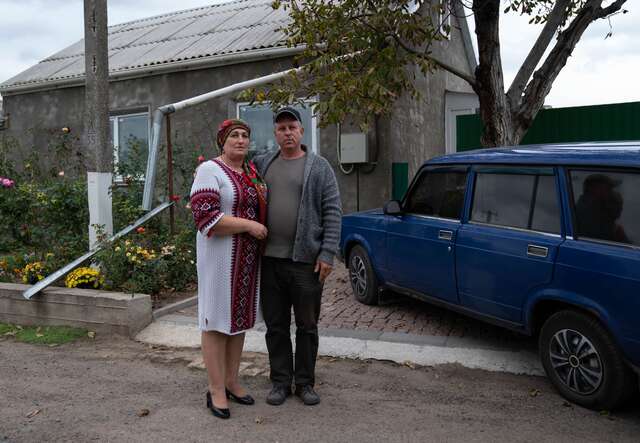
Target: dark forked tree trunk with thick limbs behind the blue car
507 117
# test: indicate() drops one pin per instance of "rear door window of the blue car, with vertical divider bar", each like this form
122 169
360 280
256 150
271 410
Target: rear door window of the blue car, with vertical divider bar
525 201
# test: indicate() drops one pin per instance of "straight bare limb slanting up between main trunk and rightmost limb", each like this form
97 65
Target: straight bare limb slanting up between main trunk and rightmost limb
556 17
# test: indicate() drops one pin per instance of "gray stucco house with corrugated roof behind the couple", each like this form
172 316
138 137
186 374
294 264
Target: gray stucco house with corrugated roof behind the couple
171 57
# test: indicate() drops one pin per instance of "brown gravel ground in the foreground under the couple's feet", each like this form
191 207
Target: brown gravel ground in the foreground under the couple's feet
119 390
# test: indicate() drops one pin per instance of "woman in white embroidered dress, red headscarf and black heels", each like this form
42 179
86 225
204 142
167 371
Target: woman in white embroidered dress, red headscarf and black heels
228 201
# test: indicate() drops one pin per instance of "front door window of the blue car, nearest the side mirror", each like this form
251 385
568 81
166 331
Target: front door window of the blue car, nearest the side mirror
439 194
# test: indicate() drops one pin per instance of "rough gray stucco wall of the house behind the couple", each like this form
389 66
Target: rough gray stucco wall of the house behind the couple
412 133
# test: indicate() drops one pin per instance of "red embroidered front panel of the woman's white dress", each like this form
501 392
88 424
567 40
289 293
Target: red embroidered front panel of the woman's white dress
246 259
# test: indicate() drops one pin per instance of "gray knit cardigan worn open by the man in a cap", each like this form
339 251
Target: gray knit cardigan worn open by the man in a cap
320 211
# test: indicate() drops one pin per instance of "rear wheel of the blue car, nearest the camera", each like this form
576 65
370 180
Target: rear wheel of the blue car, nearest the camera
583 362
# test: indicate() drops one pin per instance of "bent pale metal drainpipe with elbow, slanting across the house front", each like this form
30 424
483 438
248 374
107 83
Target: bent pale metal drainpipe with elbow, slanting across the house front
150 177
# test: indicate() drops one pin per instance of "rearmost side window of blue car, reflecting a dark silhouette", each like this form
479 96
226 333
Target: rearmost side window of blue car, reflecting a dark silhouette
606 205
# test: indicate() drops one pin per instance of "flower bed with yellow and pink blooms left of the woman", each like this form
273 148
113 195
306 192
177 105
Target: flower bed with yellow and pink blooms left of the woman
45 226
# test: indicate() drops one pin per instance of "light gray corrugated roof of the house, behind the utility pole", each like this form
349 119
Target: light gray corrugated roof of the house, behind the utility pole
199 33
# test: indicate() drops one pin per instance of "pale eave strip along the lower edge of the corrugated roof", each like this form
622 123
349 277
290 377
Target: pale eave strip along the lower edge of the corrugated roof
164 68
